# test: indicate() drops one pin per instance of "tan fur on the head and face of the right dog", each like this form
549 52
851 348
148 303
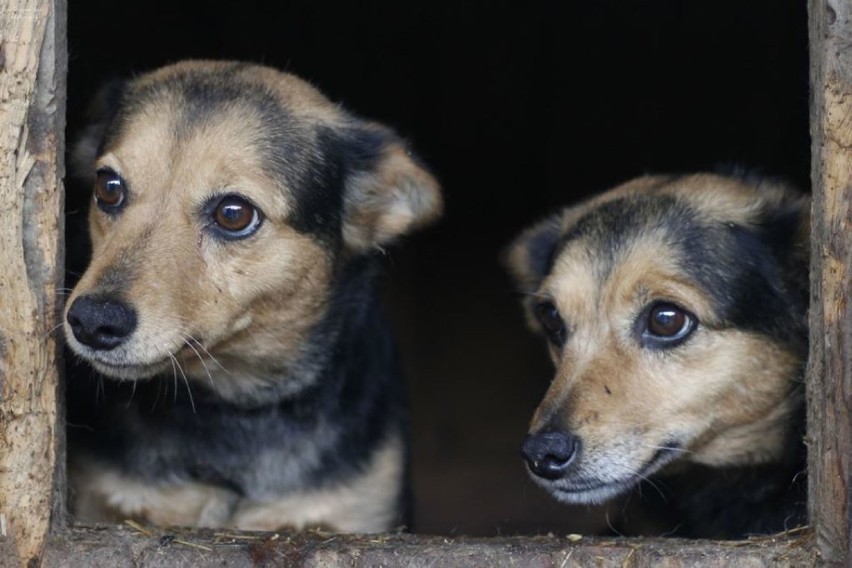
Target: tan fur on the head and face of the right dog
724 395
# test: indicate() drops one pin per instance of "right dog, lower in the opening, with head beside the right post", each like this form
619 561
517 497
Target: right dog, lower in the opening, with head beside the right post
675 312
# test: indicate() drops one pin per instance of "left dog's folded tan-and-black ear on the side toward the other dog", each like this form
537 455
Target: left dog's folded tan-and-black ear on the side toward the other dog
387 192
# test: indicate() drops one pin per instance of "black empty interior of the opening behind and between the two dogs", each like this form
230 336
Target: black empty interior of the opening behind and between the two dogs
518 109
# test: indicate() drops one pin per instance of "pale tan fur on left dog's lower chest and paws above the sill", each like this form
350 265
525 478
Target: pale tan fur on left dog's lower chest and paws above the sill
360 505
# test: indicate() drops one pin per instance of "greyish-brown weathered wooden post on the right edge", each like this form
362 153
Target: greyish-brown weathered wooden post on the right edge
830 372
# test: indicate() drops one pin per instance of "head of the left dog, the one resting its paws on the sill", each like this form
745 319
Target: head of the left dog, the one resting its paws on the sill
226 198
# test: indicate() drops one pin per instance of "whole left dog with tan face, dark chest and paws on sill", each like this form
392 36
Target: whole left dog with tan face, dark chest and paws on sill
249 374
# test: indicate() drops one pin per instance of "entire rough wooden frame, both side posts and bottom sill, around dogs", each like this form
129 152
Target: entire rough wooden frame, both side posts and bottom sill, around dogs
33 530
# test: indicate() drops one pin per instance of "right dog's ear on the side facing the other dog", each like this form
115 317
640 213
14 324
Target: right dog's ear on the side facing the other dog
530 257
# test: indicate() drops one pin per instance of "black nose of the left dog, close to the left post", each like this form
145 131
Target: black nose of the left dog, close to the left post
100 322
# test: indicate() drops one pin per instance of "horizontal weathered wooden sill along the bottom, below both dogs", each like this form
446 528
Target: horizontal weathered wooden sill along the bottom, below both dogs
126 547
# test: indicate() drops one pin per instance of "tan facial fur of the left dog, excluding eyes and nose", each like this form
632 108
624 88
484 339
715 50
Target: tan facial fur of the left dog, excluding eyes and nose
227 303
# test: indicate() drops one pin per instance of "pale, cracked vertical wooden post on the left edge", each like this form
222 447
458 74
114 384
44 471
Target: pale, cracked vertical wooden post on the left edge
32 121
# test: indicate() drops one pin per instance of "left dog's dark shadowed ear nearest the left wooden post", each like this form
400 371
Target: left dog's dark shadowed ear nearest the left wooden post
99 115
